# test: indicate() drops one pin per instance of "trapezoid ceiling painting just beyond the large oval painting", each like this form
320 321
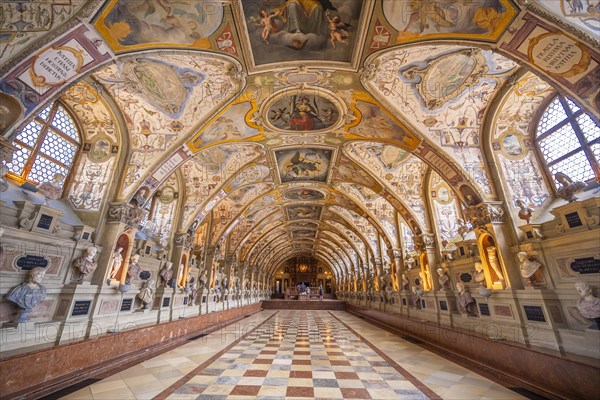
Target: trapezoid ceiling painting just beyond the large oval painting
303 164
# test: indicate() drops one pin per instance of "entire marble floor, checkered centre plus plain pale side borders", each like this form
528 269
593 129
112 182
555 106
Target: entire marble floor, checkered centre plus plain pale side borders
297 355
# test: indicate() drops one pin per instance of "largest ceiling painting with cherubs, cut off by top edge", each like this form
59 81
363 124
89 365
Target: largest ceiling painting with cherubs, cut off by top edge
284 31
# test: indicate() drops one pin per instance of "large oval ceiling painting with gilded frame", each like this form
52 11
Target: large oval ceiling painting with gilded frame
307 110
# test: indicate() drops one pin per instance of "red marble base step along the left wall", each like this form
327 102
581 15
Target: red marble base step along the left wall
42 372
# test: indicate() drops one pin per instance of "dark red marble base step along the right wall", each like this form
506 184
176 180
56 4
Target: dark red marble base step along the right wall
543 371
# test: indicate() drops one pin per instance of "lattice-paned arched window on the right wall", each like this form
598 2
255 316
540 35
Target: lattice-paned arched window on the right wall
569 140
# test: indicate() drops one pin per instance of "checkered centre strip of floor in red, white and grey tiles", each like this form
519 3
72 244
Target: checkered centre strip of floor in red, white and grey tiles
300 355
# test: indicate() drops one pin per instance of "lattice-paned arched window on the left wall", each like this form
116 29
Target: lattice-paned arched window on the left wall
46 146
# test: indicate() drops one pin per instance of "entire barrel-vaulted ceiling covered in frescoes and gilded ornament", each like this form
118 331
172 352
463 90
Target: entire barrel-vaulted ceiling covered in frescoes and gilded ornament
268 130
